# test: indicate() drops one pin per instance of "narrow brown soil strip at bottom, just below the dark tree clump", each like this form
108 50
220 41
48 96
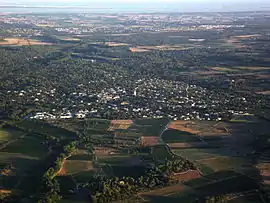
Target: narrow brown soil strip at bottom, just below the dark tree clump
166 191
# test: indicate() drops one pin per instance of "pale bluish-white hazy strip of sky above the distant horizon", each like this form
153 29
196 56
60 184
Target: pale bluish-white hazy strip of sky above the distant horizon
155 5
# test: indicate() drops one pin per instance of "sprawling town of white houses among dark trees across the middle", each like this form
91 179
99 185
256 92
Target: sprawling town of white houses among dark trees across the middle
145 98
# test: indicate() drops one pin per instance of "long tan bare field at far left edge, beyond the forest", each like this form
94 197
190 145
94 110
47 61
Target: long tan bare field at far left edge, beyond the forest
22 42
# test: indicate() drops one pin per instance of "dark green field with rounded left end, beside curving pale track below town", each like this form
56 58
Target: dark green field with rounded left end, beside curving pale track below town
176 136
